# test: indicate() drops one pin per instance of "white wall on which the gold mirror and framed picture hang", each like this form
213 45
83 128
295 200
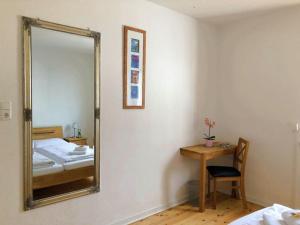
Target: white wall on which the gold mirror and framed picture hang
141 168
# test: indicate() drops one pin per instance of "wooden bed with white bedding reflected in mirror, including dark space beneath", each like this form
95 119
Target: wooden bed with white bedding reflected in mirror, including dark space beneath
60 165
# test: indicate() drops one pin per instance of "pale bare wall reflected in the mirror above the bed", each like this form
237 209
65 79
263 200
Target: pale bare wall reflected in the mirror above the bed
63 88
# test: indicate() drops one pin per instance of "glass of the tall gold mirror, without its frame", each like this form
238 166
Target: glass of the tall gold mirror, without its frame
63 149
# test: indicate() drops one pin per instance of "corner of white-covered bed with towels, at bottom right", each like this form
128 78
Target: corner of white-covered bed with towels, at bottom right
273 214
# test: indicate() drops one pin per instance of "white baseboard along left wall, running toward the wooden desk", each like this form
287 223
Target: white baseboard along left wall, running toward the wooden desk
150 212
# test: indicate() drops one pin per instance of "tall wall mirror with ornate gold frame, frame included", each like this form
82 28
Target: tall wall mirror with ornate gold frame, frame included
61 112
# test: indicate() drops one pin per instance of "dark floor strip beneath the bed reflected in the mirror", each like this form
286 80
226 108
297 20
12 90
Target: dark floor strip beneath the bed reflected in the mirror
62 188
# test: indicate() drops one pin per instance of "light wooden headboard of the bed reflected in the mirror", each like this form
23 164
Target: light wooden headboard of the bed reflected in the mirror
47 132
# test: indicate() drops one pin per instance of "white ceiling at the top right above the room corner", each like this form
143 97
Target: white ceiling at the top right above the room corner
219 11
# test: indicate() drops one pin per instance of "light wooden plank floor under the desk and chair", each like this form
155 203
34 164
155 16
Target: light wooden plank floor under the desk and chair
228 209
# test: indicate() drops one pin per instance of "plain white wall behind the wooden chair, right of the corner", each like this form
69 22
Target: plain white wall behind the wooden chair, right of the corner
258 98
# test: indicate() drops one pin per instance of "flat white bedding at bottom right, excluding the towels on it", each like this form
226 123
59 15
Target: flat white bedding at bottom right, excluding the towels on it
256 218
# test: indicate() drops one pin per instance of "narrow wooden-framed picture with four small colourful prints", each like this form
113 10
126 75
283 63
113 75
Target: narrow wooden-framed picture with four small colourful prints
134 66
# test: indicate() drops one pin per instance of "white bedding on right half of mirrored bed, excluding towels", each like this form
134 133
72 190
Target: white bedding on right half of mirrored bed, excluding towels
60 153
